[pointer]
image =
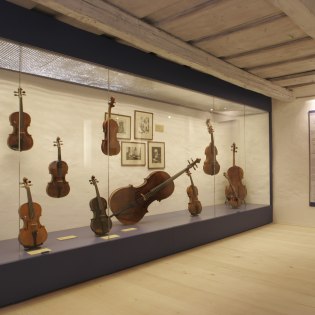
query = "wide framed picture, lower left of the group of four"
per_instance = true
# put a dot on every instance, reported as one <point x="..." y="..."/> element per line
<point x="133" y="154"/>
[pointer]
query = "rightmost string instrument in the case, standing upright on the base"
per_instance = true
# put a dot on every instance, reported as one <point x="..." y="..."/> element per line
<point x="235" y="192"/>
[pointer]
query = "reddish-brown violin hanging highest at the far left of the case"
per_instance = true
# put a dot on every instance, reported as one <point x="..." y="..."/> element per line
<point x="20" y="139"/>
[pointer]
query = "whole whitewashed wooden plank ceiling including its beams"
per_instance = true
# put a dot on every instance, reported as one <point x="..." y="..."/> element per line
<point x="267" y="46"/>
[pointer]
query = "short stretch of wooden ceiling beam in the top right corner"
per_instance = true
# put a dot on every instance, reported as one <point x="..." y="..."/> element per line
<point x="301" y="12"/>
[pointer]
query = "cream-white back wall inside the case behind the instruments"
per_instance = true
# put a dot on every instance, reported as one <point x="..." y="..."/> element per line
<point x="76" y="113"/>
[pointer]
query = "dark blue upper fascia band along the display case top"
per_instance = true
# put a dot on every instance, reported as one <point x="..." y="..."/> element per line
<point x="37" y="29"/>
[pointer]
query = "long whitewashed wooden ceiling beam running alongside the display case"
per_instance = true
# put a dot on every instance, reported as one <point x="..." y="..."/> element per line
<point x="117" y="23"/>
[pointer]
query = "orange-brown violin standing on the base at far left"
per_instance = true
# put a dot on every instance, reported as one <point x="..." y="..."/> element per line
<point x="32" y="234"/>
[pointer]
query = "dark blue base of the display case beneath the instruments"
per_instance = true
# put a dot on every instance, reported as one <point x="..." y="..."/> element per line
<point x="87" y="256"/>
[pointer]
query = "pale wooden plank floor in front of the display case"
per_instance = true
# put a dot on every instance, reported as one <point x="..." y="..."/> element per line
<point x="269" y="270"/>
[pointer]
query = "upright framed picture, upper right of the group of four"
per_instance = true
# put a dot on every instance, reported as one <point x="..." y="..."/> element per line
<point x="143" y="125"/>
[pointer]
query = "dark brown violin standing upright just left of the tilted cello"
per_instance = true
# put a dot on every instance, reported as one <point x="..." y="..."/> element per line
<point x="101" y="223"/>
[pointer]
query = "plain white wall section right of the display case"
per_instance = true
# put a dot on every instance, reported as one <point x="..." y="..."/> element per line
<point x="291" y="163"/>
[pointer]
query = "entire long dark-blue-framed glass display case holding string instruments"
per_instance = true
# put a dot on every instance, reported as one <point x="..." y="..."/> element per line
<point x="57" y="88"/>
